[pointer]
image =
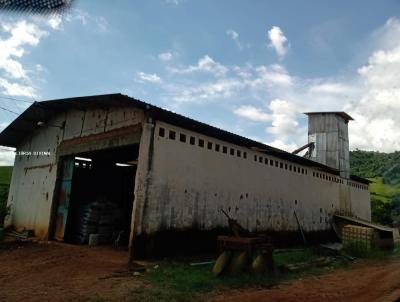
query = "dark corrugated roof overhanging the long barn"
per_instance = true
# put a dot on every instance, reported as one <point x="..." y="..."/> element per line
<point x="43" y="111"/>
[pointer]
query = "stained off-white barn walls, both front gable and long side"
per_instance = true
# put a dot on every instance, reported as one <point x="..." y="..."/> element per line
<point x="186" y="185"/>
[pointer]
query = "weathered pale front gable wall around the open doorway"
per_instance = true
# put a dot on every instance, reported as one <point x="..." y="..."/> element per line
<point x="34" y="177"/>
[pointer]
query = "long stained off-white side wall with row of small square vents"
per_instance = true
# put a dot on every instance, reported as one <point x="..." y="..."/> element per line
<point x="190" y="184"/>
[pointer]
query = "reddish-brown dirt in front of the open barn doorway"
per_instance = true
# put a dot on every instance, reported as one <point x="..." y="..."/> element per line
<point x="63" y="272"/>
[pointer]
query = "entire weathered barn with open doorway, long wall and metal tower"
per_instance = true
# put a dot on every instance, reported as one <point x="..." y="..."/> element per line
<point x="112" y="164"/>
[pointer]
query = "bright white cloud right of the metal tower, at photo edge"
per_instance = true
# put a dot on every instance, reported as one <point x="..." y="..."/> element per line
<point x="377" y="122"/>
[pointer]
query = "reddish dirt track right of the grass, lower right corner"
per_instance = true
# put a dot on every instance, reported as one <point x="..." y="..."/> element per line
<point x="367" y="281"/>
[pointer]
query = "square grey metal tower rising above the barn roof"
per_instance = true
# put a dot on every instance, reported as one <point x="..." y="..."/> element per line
<point x="329" y="133"/>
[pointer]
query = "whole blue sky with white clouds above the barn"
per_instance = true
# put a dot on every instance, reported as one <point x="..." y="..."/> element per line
<point x="250" y="67"/>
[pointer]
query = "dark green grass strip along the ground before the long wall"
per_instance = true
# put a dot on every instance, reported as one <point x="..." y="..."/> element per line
<point x="178" y="281"/>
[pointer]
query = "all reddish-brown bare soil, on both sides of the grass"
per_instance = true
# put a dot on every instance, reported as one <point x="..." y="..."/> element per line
<point x="62" y="272"/>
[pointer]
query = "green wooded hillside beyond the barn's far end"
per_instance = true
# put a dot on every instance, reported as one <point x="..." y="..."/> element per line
<point x="383" y="169"/>
